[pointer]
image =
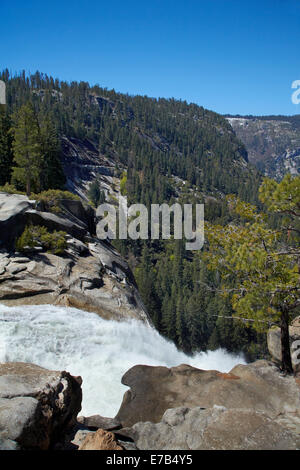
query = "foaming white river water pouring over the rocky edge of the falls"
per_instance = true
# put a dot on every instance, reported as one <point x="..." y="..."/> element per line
<point x="101" y="351"/>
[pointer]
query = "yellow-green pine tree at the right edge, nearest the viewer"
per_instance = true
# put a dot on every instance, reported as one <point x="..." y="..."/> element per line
<point x="263" y="262"/>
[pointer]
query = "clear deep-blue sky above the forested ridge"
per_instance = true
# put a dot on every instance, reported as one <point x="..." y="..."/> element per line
<point x="232" y="56"/>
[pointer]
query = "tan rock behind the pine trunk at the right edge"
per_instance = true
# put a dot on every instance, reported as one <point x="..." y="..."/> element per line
<point x="274" y="343"/>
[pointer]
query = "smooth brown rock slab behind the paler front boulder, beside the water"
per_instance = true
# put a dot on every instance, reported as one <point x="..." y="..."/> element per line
<point x="258" y="386"/>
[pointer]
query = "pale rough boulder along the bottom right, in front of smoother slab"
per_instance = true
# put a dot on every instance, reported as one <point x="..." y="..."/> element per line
<point x="214" y="428"/>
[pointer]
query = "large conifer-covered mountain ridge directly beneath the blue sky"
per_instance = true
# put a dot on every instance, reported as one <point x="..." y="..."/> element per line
<point x="153" y="138"/>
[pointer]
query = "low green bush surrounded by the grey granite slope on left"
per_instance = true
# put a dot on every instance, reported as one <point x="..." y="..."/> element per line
<point x="33" y="236"/>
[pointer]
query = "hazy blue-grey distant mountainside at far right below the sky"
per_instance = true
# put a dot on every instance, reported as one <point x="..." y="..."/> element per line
<point x="272" y="142"/>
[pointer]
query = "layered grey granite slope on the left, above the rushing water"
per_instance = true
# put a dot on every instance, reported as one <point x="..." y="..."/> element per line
<point x="90" y="275"/>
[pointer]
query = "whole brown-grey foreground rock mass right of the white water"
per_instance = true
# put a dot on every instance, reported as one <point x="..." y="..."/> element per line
<point x="184" y="408"/>
